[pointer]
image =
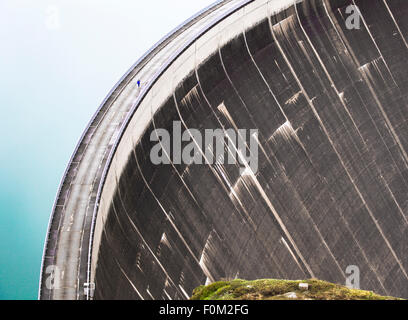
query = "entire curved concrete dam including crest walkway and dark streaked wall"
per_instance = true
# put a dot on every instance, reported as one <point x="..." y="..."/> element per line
<point x="325" y="85"/>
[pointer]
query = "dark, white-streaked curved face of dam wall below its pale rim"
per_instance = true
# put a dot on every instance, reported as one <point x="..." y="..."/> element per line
<point x="331" y="191"/>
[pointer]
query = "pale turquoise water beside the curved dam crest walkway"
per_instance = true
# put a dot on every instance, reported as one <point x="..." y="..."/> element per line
<point x="57" y="63"/>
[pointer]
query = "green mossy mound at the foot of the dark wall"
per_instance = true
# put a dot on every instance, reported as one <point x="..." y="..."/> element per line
<point x="272" y="289"/>
